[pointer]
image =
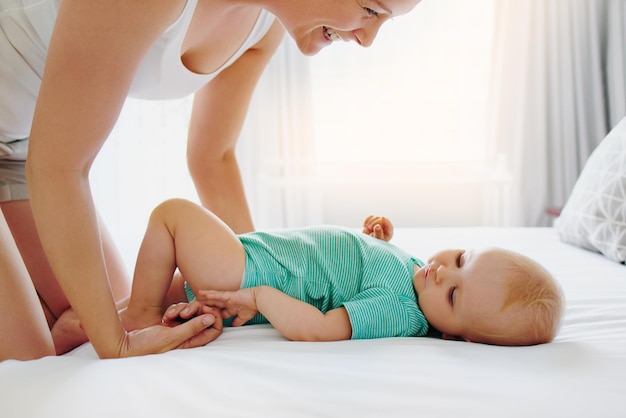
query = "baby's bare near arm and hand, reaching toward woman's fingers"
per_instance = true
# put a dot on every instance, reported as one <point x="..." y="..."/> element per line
<point x="294" y="319"/>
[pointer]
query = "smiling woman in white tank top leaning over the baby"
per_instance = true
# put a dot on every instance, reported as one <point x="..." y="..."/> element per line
<point x="96" y="54"/>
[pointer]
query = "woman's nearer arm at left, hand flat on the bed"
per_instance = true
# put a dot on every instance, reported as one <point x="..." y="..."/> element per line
<point x="94" y="52"/>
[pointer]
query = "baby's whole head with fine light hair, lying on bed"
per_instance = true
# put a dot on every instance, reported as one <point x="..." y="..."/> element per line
<point x="491" y="296"/>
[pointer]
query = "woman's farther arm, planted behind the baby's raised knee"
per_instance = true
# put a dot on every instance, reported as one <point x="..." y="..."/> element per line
<point x="219" y="110"/>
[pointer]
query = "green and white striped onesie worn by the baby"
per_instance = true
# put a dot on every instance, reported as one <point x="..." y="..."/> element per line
<point x="329" y="267"/>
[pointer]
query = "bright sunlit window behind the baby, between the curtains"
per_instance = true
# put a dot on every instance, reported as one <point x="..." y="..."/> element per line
<point x="406" y="117"/>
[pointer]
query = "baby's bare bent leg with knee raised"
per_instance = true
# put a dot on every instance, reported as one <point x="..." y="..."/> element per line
<point x="184" y="235"/>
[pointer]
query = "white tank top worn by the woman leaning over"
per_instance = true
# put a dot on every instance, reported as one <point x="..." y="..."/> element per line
<point x="25" y="30"/>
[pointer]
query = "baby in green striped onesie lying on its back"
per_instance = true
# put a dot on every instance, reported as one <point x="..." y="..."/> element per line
<point x="330" y="283"/>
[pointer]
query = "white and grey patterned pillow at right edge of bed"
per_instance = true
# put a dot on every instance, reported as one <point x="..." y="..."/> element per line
<point x="594" y="216"/>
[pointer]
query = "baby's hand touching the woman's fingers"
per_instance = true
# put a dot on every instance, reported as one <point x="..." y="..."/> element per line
<point x="241" y="303"/>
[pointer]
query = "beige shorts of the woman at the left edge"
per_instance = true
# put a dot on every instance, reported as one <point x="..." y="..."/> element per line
<point x="13" y="170"/>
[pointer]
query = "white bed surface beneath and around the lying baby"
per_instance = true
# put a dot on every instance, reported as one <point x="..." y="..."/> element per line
<point x="253" y="372"/>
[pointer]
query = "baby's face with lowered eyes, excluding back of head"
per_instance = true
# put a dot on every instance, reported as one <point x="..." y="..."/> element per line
<point x="458" y="287"/>
